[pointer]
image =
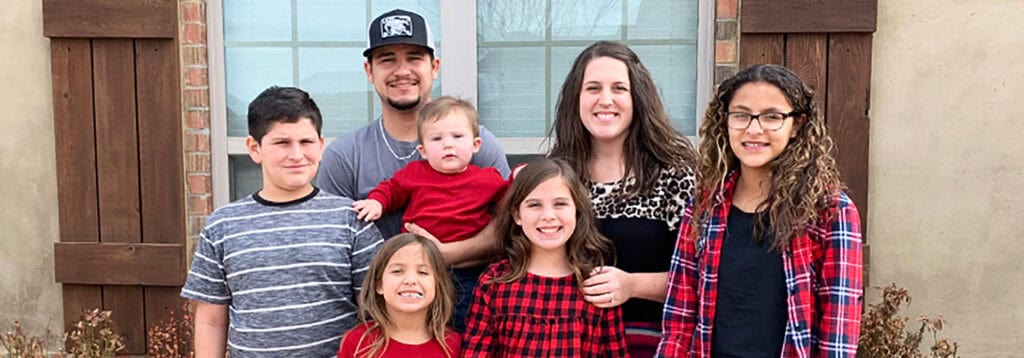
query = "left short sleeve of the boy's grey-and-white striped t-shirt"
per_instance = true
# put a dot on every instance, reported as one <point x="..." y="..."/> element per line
<point x="206" y="280"/>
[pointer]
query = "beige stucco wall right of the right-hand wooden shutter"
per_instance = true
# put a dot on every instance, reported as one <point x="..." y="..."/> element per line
<point x="948" y="166"/>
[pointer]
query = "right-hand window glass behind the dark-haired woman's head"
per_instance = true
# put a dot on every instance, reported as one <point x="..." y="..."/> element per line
<point x="522" y="64"/>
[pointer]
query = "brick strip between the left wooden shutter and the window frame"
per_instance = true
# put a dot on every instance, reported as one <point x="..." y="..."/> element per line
<point x="196" y="113"/>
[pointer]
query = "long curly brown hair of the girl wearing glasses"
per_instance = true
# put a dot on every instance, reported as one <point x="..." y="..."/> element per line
<point x="802" y="180"/>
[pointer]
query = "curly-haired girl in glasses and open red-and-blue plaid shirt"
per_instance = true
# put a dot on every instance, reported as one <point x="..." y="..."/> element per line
<point x="769" y="261"/>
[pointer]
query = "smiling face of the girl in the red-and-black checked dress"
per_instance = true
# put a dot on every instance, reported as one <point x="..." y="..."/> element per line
<point x="548" y="215"/>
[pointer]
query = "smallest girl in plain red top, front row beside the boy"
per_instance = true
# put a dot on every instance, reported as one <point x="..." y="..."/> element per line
<point x="406" y="304"/>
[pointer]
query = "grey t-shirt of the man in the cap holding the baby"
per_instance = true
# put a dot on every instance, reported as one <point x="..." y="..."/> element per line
<point x="355" y="164"/>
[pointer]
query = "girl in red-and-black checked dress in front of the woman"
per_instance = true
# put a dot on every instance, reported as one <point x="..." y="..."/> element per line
<point x="530" y="304"/>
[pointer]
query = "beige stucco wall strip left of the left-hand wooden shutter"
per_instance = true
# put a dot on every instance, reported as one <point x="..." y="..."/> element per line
<point x="29" y="208"/>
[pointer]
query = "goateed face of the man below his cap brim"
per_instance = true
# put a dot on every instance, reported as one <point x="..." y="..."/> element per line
<point x="403" y="75"/>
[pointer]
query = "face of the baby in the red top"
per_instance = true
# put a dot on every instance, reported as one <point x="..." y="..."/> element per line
<point x="449" y="144"/>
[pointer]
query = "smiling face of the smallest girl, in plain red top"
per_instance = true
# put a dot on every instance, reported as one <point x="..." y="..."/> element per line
<point x="408" y="284"/>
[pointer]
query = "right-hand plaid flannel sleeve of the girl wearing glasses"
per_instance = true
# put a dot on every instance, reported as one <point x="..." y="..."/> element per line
<point x="841" y="282"/>
